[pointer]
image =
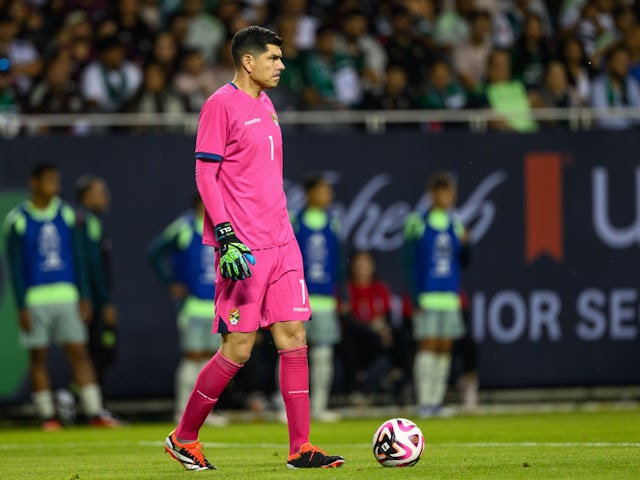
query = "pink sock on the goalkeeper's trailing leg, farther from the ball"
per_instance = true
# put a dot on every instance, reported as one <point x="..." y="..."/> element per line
<point x="211" y="381"/>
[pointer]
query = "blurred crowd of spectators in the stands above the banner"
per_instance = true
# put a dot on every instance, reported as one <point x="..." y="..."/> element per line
<point x="152" y="56"/>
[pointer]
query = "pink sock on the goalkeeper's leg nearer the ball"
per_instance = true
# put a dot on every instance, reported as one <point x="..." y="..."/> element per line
<point x="294" y="385"/>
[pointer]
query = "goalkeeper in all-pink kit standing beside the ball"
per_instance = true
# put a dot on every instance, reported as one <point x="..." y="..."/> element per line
<point x="261" y="282"/>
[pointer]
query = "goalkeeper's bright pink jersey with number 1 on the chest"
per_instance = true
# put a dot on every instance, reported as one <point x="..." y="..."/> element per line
<point x="242" y="134"/>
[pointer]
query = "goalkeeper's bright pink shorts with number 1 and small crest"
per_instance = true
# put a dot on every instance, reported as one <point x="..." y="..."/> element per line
<point x="275" y="292"/>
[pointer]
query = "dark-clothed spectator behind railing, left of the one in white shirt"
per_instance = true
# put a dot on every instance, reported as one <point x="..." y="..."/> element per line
<point x="56" y="92"/>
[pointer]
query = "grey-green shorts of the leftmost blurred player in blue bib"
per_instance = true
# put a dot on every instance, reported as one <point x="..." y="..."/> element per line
<point x="58" y="322"/>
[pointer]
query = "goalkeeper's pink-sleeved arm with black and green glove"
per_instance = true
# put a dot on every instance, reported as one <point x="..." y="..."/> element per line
<point x="211" y="142"/>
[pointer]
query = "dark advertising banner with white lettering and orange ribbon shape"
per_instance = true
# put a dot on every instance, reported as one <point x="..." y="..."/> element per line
<point x="554" y="219"/>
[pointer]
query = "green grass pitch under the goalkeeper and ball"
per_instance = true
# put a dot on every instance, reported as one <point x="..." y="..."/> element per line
<point x="596" y="445"/>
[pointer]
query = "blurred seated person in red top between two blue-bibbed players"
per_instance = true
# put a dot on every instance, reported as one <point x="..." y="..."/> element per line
<point x="367" y="332"/>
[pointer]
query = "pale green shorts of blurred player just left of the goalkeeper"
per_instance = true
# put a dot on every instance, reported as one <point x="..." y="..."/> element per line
<point x="195" y="322"/>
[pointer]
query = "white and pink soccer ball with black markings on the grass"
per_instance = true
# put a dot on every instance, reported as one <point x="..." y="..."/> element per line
<point x="398" y="442"/>
